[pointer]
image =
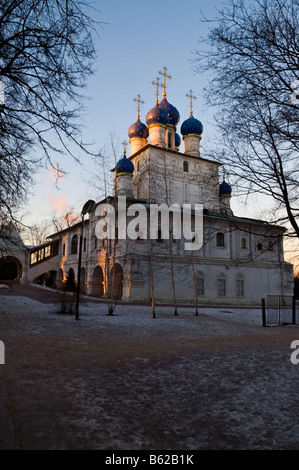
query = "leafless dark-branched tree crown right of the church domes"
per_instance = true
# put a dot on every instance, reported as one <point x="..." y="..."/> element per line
<point x="252" y="55"/>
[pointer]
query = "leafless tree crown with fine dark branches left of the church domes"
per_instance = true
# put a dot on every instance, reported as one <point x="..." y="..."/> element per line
<point x="46" y="55"/>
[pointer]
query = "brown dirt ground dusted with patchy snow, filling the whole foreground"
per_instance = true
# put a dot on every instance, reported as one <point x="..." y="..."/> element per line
<point x="89" y="385"/>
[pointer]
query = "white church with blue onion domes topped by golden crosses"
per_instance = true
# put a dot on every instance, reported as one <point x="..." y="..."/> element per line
<point x="241" y="260"/>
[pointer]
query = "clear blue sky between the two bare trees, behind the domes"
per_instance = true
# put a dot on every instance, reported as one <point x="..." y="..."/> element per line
<point x="136" y="40"/>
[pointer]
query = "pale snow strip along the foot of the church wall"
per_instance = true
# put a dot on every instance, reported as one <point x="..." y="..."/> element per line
<point x="137" y="320"/>
